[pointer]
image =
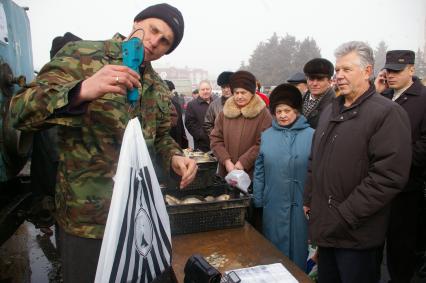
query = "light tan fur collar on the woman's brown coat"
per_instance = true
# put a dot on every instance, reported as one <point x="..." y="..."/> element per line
<point x="251" y="110"/>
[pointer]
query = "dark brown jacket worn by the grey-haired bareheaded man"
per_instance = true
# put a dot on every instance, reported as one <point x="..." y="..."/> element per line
<point x="360" y="161"/>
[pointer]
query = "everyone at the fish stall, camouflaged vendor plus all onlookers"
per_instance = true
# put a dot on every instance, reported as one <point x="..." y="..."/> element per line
<point x="336" y="158"/>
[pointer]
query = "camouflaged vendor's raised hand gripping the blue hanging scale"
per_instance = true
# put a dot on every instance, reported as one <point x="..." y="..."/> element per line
<point x="110" y="78"/>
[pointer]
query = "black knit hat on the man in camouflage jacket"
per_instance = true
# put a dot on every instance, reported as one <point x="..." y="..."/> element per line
<point x="170" y="15"/>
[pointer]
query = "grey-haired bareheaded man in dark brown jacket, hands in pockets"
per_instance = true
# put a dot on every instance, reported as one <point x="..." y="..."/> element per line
<point x="360" y="160"/>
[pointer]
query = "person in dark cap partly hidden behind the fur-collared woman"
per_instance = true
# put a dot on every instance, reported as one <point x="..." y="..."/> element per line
<point x="217" y="105"/>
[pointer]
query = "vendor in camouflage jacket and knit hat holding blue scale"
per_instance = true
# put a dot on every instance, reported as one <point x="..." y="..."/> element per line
<point x="83" y="91"/>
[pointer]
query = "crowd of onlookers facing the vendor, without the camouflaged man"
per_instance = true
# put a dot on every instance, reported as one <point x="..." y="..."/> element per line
<point x="333" y="160"/>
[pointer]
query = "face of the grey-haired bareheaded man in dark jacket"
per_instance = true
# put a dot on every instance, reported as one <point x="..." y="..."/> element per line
<point x="351" y="78"/>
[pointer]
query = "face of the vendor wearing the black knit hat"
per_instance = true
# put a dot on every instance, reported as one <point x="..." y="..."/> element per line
<point x="157" y="37"/>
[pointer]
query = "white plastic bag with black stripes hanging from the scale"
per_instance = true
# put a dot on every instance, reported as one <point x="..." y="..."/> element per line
<point x="136" y="246"/>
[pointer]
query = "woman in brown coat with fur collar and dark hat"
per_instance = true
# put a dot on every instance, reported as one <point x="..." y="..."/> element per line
<point x="235" y="138"/>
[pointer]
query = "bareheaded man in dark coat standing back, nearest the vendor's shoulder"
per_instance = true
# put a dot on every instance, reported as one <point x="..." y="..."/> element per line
<point x="194" y="117"/>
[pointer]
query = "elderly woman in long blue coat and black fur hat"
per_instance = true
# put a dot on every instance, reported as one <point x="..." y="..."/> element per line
<point x="280" y="172"/>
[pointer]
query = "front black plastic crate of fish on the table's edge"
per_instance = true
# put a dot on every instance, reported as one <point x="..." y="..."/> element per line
<point x="207" y="216"/>
